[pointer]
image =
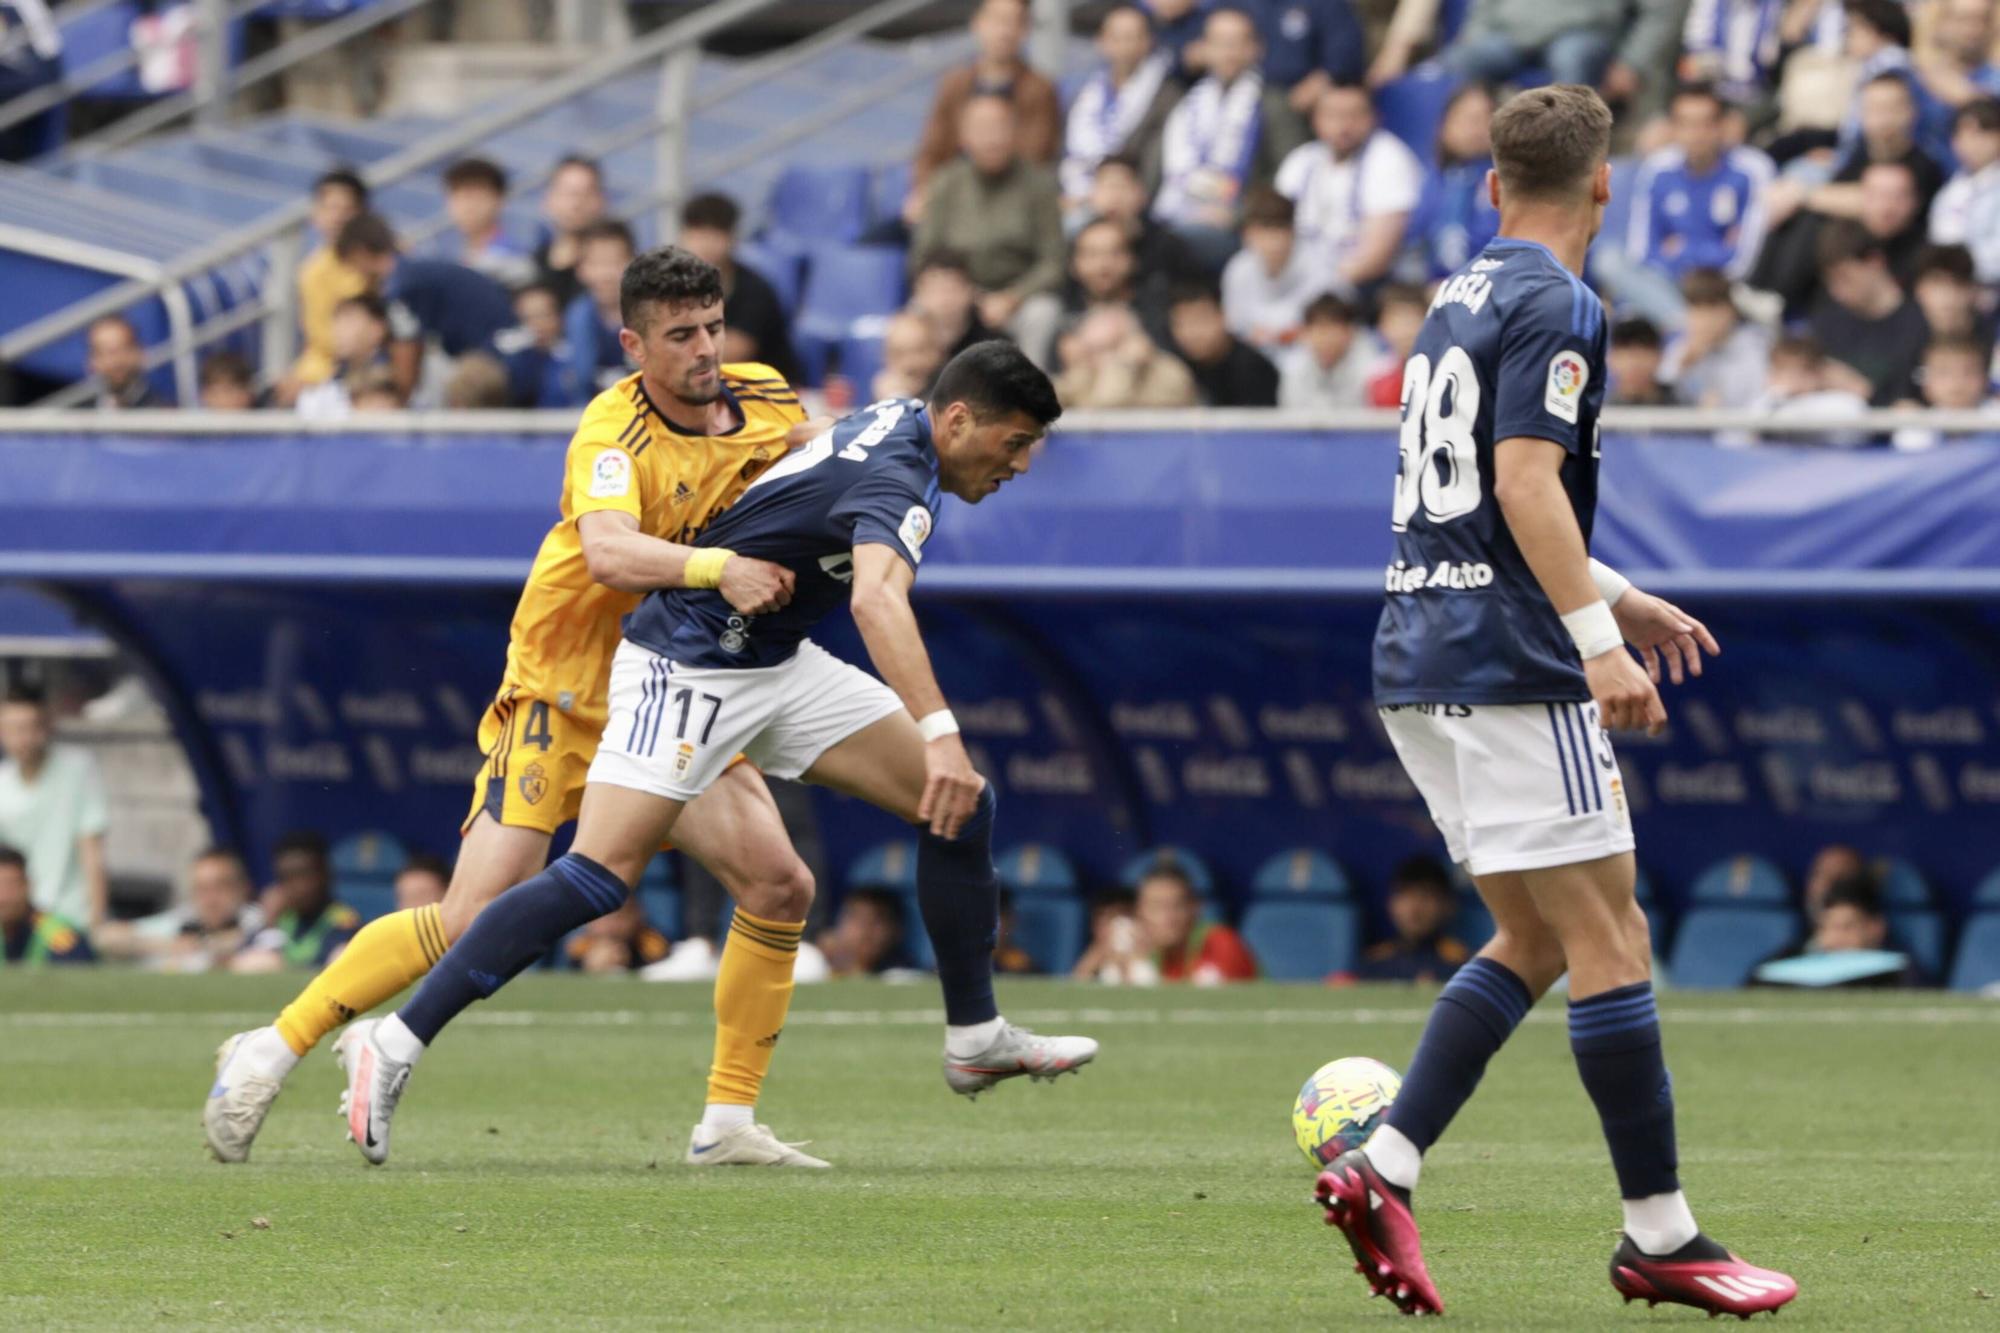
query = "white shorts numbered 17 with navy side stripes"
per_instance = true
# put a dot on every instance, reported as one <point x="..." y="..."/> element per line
<point x="675" y="730"/>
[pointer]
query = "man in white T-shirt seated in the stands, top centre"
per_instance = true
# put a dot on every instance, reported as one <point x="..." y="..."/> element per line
<point x="1355" y="189"/>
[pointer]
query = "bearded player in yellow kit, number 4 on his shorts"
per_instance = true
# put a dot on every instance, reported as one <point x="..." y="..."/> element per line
<point x="655" y="459"/>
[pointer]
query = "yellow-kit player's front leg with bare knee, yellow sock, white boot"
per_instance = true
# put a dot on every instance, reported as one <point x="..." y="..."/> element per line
<point x="737" y="834"/>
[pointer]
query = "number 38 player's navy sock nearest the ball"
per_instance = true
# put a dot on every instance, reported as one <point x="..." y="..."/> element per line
<point x="1477" y="1012"/>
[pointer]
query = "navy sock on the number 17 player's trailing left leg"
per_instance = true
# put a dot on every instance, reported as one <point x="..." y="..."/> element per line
<point x="509" y="936"/>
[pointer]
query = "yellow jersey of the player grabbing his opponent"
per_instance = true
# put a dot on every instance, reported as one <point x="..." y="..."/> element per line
<point x="631" y="459"/>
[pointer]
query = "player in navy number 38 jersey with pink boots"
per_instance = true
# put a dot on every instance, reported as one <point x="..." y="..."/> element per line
<point x="1501" y="665"/>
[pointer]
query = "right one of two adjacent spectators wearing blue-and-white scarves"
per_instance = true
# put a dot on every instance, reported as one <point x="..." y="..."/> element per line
<point x="1229" y="133"/>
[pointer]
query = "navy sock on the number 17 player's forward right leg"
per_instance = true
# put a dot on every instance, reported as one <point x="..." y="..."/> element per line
<point x="959" y="896"/>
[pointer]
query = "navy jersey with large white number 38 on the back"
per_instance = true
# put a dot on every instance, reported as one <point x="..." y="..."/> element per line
<point x="1513" y="347"/>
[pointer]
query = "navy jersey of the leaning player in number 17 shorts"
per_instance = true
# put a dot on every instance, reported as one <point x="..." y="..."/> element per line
<point x="871" y="479"/>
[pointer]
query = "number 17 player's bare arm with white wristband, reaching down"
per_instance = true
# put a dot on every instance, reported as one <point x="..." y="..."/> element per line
<point x="881" y="603"/>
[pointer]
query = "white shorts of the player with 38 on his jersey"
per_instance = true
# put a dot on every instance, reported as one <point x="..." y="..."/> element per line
<point x="1515" y="788"/>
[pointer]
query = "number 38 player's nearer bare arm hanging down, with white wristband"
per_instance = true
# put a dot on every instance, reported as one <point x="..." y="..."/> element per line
<point x="1529" y="491"/>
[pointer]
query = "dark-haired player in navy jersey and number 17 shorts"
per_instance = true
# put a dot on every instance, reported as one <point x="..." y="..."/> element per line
<point x="697" y="684"/>
